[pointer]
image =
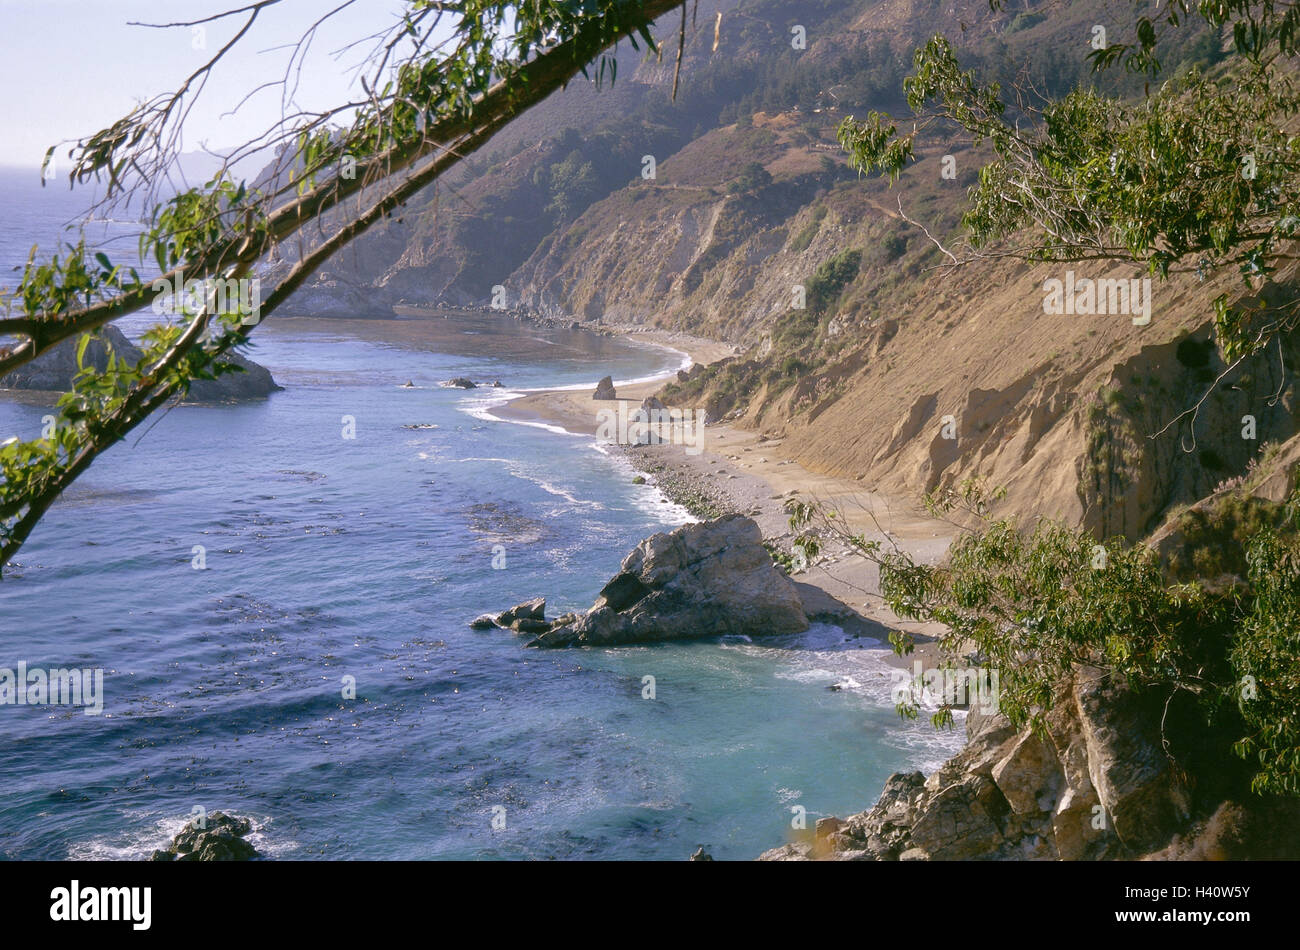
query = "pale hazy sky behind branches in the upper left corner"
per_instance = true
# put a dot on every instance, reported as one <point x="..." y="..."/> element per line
<point x="70" y="68"/>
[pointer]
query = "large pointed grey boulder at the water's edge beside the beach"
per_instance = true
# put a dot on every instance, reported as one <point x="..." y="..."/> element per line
<point x="703" y="580"/>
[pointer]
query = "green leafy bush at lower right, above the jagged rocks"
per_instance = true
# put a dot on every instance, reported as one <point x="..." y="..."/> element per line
<point x="1037" y="606"/>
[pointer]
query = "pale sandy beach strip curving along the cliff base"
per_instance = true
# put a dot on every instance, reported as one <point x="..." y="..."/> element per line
<point x="735" y="470"/>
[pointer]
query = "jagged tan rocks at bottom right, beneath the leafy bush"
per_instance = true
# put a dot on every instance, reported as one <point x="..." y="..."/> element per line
<point x="1097" y="786"/>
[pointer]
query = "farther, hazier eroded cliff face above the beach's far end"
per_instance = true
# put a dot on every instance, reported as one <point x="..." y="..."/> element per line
<point x="690" y="249"/>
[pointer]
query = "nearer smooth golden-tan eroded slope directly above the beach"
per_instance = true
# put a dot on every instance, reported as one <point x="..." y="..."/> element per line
<point x="1080" y="418"/>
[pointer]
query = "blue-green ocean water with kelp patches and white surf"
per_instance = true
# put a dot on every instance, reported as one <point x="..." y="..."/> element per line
<point x="331" y="559"/>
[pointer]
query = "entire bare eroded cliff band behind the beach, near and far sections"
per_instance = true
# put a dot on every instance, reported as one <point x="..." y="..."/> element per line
<point x="918" y="376"/>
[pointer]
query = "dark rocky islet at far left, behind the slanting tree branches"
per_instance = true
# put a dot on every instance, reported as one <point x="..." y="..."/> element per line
<point x="55" y="371"/>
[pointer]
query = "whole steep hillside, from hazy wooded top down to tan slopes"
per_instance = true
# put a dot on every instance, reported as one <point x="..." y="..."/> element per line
<point x="860" y="344"/>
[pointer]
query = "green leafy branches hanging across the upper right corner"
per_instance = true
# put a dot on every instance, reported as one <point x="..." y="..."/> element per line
<point x="1199" y="175"/>
